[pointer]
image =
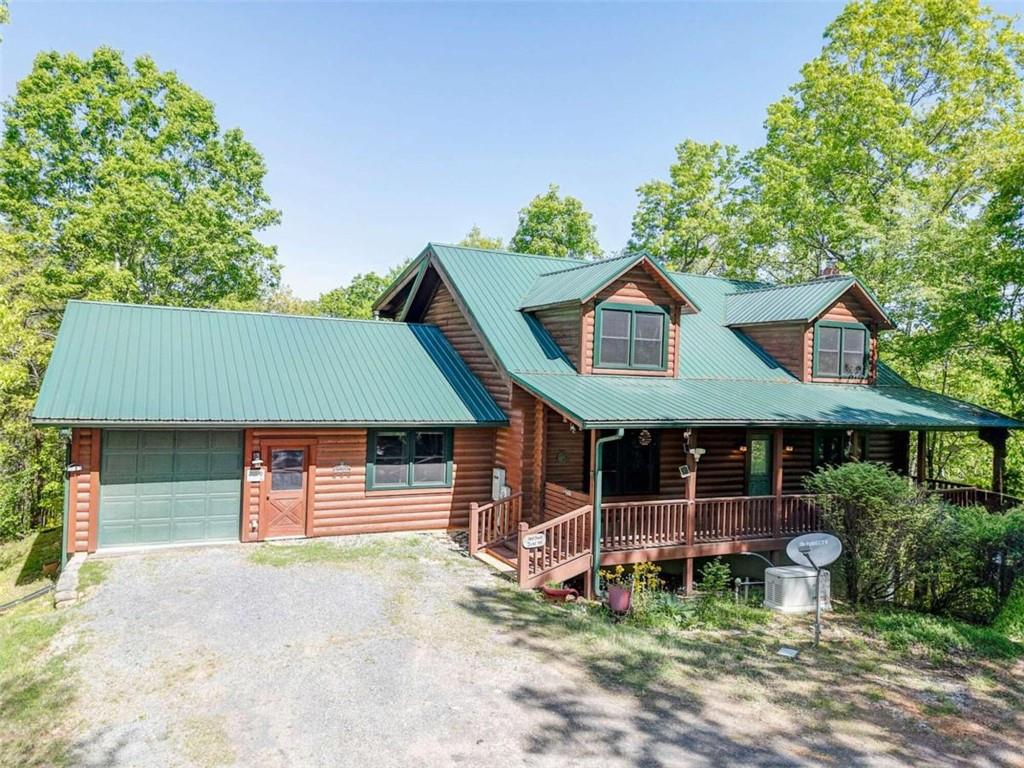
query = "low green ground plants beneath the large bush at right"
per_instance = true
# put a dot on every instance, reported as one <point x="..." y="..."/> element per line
<point x="907" y="631"/>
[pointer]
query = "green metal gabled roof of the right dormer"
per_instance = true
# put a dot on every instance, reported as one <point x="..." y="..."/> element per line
<point x="800" y="303"/>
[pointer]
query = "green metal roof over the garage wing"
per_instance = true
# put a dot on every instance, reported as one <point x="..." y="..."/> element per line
<point x="130" y="364"/>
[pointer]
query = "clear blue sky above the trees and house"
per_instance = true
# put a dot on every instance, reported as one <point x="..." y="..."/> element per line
<point x="386" y="126"/>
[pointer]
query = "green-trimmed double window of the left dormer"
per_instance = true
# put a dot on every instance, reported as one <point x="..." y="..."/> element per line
<point x="631" y="336"/>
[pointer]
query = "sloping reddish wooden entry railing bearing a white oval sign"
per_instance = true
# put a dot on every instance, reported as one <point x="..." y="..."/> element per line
<point x="566" y="550"/>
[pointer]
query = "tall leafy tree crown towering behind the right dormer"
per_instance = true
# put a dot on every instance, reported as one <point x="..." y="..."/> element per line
<point x="879" y="154"/>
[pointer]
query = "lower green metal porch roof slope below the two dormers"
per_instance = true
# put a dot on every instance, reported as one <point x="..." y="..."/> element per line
<point x="632" y="401"/>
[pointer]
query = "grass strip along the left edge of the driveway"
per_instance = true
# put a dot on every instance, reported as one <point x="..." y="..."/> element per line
<point x="35" y="689"/>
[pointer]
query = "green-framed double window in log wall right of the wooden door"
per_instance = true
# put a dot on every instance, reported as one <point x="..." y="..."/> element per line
<point x="409" y="458"/>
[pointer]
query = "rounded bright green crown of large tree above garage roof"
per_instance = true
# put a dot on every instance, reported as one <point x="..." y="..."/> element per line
<point x="121" y="176"/>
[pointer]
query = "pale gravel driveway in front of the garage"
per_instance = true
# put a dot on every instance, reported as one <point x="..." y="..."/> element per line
<point x="395" y="652"/>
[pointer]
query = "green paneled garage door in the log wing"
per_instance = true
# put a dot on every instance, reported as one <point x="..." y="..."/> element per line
<point x="165" y="487"/>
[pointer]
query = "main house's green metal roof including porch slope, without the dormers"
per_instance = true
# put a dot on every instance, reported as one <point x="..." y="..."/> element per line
<point x="726" y="378"/>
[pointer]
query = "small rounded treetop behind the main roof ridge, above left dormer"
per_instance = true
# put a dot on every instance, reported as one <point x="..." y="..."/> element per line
<point x="553" y="226"/>
